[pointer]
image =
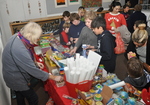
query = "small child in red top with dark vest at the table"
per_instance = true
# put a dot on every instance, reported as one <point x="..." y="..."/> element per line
<point x="64" y="39"/>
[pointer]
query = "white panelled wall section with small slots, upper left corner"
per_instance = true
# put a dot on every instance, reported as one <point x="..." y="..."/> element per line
<point x="17" y="10"/>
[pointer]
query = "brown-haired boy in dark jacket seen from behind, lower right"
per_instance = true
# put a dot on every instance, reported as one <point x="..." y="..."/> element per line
<point x="138" y="77"/>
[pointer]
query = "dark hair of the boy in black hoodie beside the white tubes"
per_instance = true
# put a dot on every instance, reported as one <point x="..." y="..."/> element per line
<point x="99" y="22"/>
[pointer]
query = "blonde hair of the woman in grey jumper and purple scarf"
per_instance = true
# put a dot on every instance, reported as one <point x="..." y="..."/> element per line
<point x="31" y="31"/>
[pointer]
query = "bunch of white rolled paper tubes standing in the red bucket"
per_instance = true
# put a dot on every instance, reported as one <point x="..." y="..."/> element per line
<point x="79" y="69"/>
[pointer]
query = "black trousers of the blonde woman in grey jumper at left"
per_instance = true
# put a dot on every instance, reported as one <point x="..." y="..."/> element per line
<point x="30" y="95"/>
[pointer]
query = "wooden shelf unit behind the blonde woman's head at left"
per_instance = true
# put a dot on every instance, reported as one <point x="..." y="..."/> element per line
<point x="48" y="24"/>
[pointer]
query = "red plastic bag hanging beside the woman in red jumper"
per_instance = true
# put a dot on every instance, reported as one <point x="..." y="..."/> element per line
<point x="120" y="48"/>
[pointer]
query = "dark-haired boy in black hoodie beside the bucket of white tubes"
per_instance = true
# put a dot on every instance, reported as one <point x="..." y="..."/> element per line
<point x="105" y="44"/>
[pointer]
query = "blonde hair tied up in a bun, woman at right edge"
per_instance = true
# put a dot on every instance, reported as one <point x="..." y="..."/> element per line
<point x="140" y="35"/>
